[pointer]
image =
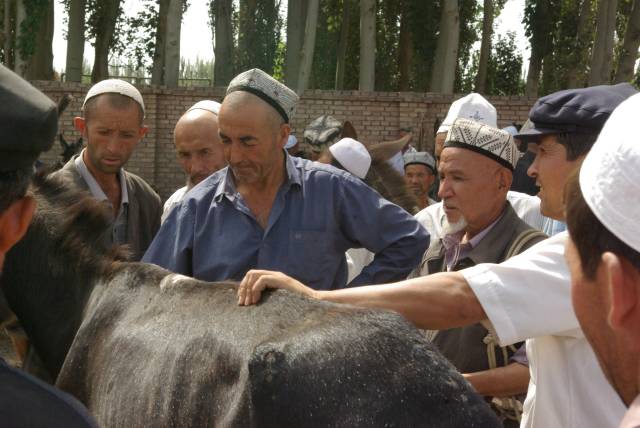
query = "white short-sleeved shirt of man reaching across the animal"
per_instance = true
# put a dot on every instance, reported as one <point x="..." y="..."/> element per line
<point x="529" y="297"/>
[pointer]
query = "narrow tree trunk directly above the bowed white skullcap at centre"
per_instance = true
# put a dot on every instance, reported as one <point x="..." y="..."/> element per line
<point x="367" y="45"/>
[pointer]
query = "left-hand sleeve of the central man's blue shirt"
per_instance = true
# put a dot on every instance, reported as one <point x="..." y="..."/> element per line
<point x="173" y="244"/>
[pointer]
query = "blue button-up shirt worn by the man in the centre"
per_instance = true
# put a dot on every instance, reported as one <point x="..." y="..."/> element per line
<point x="319" y="212"/>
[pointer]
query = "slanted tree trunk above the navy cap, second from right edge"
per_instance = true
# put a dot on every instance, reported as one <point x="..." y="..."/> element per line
<point x="602" y="53"/>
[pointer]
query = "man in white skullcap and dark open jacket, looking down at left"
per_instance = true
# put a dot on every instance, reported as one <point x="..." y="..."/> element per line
<point x="112" y="126"/>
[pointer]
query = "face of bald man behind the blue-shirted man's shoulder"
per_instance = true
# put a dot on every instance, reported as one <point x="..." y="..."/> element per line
<point x="198" y="145"/>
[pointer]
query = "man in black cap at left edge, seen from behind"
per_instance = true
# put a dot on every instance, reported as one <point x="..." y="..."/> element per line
<point x="28" y="125"/>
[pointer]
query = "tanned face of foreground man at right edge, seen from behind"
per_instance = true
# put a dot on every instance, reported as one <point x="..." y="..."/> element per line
<point x="592" y="304"/>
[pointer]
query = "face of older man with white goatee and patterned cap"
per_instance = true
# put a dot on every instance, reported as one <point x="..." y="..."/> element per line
<point x="470" y="186"/>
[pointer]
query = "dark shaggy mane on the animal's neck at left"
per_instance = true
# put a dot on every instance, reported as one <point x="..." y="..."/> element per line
<point x="77" y="223"/>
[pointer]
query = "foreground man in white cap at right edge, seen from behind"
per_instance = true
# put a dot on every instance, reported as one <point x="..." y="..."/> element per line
<point x="603" y="253"/>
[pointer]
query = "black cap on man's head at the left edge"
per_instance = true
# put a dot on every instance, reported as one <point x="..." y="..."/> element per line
<point x="28" y="122"/>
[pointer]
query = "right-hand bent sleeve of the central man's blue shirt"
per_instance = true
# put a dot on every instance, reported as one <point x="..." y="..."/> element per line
<point x="395" y="236"/>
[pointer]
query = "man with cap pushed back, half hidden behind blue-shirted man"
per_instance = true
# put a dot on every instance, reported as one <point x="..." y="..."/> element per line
<point x="198" y="148"/>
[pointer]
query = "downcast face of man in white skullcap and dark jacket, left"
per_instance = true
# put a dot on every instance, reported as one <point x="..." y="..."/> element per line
<point x="111" y="135"/>
